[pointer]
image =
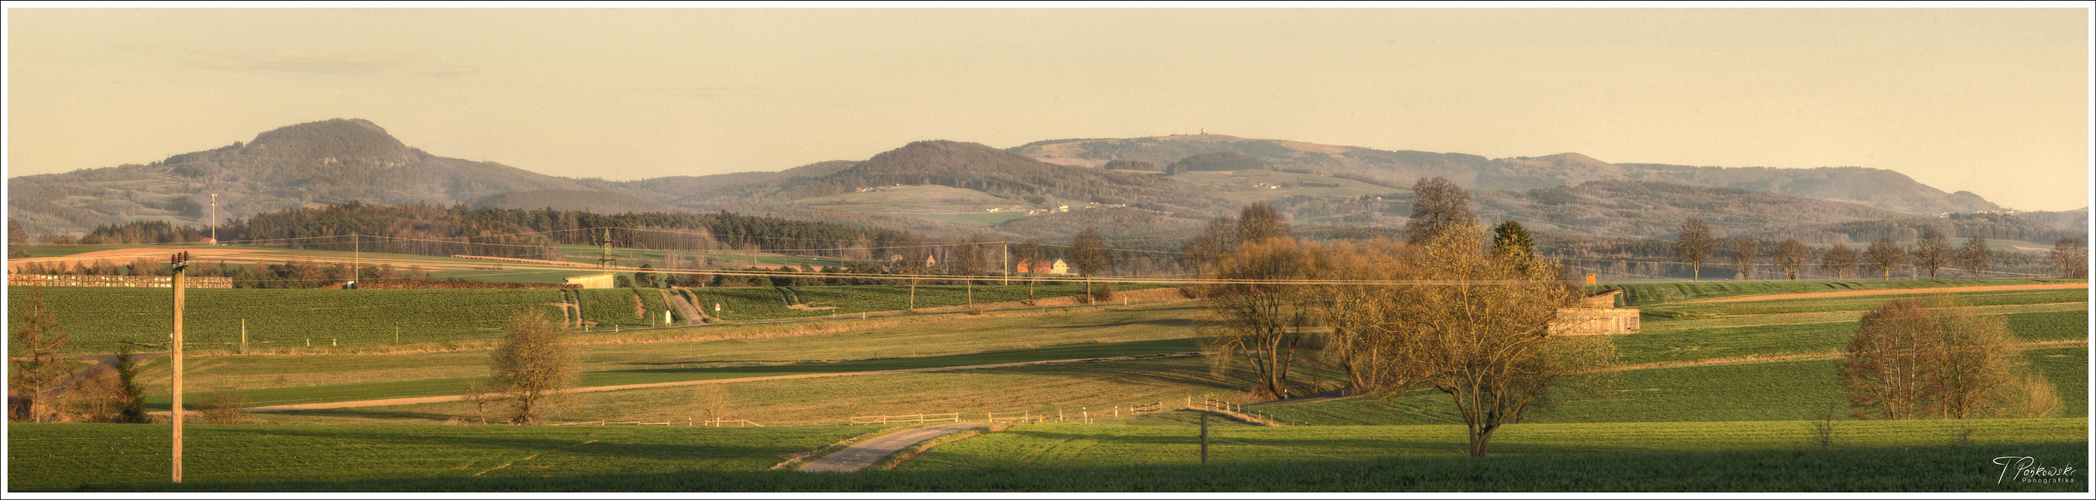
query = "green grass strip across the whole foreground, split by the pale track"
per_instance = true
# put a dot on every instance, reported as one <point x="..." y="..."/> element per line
<point x="1726" y="457"/>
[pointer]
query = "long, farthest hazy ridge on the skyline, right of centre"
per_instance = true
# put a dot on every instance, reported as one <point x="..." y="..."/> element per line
<point x="1854" y="185"/>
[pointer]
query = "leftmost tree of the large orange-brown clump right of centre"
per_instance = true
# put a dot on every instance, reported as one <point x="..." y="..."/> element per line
<point x="1259" y="319"/>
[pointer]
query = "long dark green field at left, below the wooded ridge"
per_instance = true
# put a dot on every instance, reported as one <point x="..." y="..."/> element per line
<point x="102" y="319"/>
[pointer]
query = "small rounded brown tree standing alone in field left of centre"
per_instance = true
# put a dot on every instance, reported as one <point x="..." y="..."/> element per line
<point x="531" y="365"/>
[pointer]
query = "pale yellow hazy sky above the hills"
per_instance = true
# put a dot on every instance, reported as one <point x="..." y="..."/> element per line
<point x="1986" y="101"/>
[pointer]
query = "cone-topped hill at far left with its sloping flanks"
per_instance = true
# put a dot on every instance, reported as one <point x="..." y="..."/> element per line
<point x="297" y="166"/>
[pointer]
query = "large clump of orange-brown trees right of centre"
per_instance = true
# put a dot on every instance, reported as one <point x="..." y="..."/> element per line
<point x="1447" y="309"/>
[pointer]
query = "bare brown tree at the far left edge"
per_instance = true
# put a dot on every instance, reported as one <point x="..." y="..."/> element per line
<point x="35" y="350"/>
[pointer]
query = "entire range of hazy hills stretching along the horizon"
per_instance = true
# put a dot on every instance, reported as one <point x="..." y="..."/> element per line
<point x="1160" y="187"/>
